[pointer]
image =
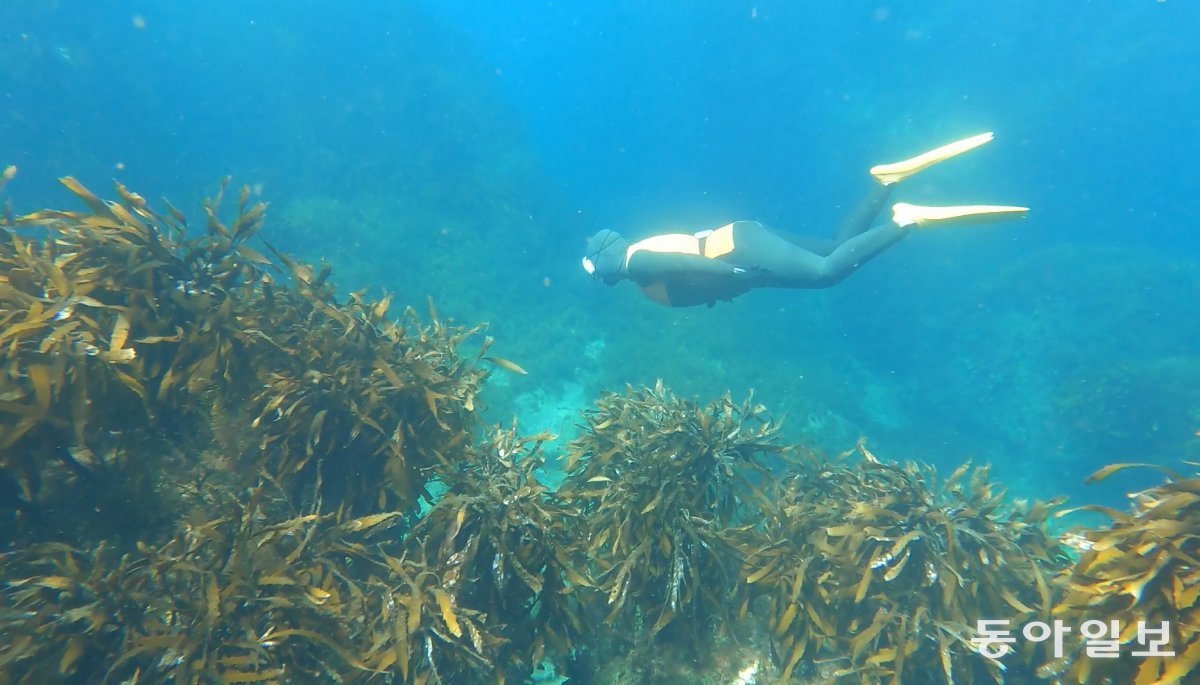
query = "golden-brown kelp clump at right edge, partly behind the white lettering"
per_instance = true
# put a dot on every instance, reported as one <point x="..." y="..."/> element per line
<point x="1142" y="573"/>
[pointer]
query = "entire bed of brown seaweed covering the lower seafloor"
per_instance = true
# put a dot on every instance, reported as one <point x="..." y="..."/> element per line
<point x="219" y="472"/>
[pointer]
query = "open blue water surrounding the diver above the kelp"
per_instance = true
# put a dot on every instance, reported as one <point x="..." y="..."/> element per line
<point x="465" y="151"/>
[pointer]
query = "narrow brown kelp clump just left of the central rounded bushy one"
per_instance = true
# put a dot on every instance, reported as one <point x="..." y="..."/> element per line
<point x="501" y="544"/>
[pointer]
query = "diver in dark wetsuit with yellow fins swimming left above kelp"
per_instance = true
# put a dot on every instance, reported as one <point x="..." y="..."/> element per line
<point x="685" y="271"/>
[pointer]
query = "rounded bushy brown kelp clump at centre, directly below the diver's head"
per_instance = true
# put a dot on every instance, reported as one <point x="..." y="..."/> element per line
<point x="659" y="482"/>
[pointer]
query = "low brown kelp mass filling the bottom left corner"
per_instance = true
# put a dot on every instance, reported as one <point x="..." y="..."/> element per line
<point x="241" y="599"/>
